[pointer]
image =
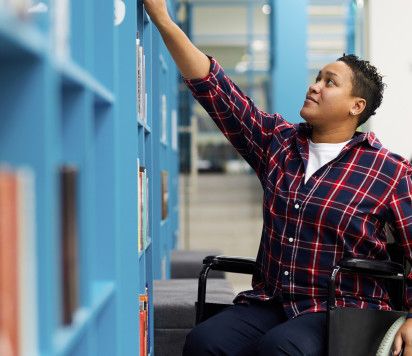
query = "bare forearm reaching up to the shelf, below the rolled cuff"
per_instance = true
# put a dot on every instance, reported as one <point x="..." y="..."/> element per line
<point x="192" y="63"/>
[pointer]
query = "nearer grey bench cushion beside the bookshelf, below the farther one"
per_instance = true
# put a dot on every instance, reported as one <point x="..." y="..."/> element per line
<point x="174" y="300"/>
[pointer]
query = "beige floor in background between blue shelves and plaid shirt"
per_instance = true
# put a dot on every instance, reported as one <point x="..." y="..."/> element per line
<point x="222" y="212"/>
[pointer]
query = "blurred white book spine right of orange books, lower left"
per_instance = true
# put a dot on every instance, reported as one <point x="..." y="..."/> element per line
<point x="27" y="263"/>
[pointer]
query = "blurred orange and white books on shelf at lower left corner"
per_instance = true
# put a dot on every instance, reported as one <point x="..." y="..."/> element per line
<point x="18" y="267"/>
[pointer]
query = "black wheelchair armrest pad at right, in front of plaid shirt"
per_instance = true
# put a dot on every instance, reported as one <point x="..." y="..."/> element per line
<point x="373" y="267"/>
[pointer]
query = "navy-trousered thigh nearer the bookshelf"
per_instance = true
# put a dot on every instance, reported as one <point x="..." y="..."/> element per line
<point x="234" y="331"/>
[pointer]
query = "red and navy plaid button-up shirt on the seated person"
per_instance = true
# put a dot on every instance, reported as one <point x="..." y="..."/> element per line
<point x="308" y="227"/>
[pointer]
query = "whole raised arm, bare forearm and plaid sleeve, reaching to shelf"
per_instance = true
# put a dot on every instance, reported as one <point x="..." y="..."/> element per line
<point x="248" y="129"/>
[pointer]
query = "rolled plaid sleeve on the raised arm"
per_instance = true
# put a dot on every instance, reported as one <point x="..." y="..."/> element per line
<point x="249" y="129"/>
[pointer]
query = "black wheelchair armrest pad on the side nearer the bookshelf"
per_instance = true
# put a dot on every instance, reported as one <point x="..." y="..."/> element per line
<point x="234" y="264"/>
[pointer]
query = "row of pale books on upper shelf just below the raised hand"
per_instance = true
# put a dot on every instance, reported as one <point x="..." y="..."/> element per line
<point x="141" y="94"/>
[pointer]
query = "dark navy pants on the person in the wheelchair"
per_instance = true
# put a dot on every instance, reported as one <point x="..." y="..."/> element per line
<point x="258" y="329"/>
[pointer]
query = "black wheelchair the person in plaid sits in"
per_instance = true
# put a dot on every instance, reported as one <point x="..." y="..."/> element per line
<point x="350" y="331"/>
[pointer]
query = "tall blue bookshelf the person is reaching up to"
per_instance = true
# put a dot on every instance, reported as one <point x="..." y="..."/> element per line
<point x="80" y="110"/>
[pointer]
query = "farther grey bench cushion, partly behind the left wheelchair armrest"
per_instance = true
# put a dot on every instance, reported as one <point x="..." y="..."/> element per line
<point x="188" y="263"/>
